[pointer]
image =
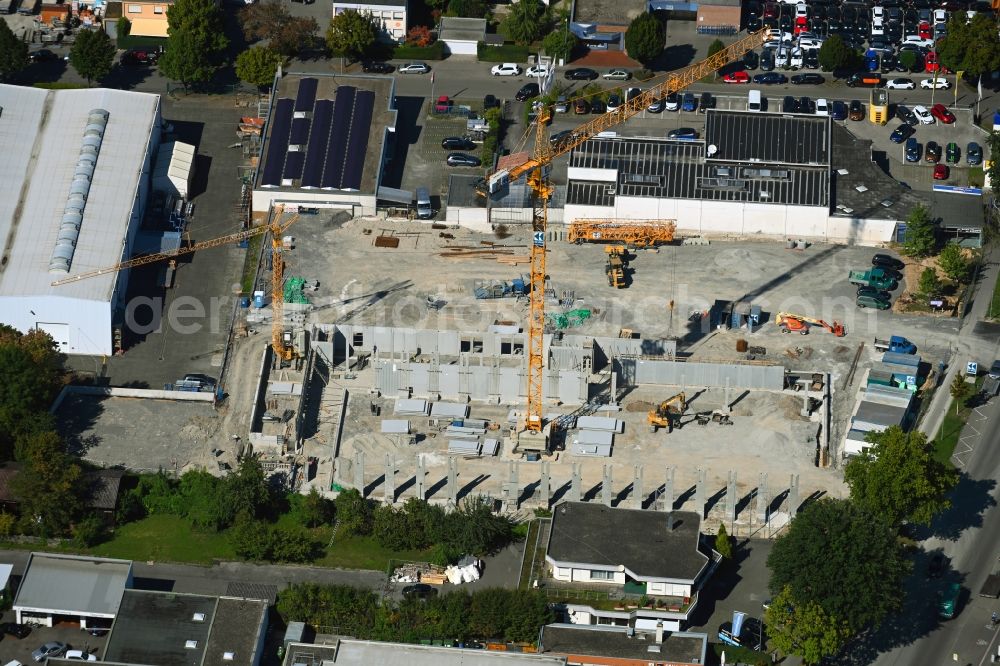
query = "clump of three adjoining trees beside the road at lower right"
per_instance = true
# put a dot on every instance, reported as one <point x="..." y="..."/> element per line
<point x="838" y="570"/>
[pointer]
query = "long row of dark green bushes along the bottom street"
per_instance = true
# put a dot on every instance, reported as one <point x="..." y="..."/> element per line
<point x="488" y="614"/>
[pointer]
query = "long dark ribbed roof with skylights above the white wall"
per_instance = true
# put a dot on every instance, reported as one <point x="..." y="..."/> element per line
<point x="677" y="169"/>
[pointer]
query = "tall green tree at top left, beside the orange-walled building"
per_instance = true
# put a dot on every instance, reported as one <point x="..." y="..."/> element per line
<point x="195" y="41"/>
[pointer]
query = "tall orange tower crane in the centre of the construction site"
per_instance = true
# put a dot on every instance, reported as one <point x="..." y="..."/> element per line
<point x="535" y="170"/>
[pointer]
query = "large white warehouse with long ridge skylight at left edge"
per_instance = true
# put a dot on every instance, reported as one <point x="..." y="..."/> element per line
<point x="74" y="185"/>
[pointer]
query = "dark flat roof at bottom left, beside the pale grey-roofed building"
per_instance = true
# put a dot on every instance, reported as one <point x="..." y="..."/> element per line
<point x="153" y="628"/>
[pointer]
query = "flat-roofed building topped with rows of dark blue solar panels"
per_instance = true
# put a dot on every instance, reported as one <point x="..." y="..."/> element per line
<point x="326" y="139"/>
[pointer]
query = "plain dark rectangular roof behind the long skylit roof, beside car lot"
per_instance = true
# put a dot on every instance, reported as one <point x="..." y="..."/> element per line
<point x="767" y="137"/>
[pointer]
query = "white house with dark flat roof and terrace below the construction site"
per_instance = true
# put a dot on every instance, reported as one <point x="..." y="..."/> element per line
<point x="637" y="556"/>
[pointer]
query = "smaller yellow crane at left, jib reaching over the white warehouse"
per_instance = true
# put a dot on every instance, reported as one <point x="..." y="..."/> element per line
<point x="280" y="339"/>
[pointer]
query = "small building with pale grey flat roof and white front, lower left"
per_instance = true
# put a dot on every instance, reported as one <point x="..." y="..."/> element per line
<point x="60" y="588"/>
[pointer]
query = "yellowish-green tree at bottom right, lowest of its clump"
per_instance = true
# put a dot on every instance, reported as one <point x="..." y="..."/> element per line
<point x="804" y="629"/>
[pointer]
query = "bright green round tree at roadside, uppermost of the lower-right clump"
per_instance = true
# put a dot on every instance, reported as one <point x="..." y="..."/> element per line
<point x="899" y="479"/>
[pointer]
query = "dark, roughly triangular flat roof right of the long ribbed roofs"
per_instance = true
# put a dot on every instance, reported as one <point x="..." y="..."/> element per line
<point x="865" y="191"/>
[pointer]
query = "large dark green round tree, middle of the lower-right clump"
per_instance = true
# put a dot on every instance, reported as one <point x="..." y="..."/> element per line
<point x="844" y="560"/>
